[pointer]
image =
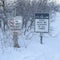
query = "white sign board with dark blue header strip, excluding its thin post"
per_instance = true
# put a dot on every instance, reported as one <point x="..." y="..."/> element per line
<point x="41" y="23"/>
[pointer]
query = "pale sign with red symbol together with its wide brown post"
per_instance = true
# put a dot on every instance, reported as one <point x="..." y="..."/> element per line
<point x="15" y="25"/>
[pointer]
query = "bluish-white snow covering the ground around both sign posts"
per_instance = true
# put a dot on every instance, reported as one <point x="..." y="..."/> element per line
<point x="32" y="49"/>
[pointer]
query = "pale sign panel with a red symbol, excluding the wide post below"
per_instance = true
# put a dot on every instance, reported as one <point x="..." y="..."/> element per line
<point x="15" y="23"/>
